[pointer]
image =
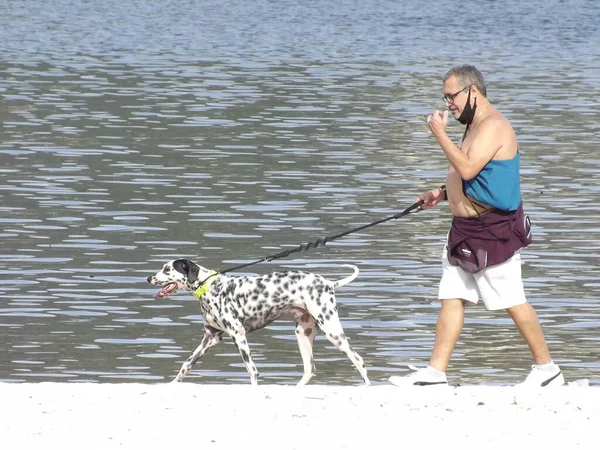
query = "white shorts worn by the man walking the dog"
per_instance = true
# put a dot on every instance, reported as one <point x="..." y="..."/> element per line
<point x="499" y="286"/>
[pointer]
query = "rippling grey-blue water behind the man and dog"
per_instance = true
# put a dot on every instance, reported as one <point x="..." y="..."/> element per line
<point x="137" y="132"/>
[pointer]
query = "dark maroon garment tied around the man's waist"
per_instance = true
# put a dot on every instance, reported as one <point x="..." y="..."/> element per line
<point x="492" y="238"/>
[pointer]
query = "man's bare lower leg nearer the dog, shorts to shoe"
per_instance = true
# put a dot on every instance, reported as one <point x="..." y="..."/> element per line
<point x="448" y="329"/>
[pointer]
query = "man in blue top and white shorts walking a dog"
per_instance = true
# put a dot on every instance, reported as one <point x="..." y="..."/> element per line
<point x="482" y="256"/>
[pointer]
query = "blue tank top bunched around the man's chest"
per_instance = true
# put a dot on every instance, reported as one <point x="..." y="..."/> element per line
<point x="498" y="184"/>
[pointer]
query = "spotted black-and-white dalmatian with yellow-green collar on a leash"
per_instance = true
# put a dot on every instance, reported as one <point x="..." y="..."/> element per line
<point x="238" y="305"/>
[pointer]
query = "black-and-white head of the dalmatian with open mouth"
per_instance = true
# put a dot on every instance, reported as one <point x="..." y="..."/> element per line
<point x="176" y="274"/>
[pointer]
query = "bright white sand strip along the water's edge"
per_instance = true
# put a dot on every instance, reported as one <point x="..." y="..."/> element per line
<point x="194" y="416"/>
